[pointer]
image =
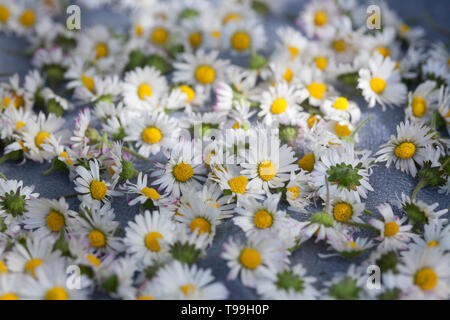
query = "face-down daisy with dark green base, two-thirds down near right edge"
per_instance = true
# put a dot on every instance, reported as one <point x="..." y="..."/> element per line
<point x="419" y="212"/>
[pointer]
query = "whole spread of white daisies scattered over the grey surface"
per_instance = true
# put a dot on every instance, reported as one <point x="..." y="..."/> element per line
<point x="225" y="129"/>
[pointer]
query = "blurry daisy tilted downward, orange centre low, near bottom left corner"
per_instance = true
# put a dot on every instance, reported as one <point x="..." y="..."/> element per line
<point x="32" y="254"/>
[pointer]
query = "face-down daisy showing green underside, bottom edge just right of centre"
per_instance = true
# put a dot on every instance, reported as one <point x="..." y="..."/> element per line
<point x="290" y="283"/>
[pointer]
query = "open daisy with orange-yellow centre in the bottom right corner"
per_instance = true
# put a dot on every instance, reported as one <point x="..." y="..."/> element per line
<point x="427" y="273"/>
